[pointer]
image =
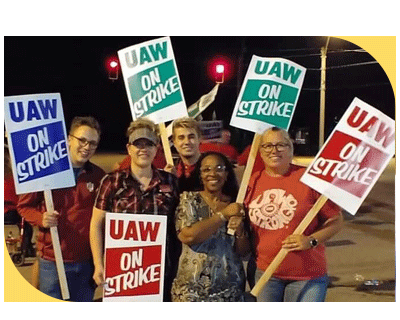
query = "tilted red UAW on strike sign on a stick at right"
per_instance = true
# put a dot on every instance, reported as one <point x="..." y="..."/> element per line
<point x="354" y="156"/>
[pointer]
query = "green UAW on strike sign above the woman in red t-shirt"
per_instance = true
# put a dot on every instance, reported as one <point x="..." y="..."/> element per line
<point x="269" y="94"/>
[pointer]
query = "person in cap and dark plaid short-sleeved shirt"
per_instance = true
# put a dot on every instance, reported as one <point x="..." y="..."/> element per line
<point x="145" y="190"/>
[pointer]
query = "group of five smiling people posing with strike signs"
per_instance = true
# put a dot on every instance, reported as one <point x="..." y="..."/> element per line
<point x="203" y="262"/>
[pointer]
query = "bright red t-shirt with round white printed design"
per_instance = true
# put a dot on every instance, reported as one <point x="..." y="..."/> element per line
<point x="276" y="207"/>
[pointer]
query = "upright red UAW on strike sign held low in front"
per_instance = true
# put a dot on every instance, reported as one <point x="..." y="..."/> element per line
<point x="134" y="257"/>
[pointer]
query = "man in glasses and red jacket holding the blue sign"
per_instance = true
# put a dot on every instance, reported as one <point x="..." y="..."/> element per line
<point x="73" y="209"/>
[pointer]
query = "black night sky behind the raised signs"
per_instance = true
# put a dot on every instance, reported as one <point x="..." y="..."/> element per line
<point x="76" y="68"/>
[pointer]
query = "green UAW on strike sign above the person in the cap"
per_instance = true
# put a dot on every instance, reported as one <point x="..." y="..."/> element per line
<point x="152" y="82"/>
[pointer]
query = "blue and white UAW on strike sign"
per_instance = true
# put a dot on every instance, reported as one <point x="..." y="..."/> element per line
<point x="37" y="141"/>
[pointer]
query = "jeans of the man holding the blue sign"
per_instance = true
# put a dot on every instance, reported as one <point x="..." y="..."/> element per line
<point x="81" y="286"/>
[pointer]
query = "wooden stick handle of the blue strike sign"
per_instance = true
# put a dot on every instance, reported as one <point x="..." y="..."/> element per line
<point x="57" y="248"/>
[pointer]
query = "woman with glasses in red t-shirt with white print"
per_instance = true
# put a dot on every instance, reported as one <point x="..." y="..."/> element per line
<point x="277" y="202"/>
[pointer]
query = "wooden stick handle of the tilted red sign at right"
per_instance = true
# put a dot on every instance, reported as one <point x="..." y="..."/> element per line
<point x="283" y="252"/>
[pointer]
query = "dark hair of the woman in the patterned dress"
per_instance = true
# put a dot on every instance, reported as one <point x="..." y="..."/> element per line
<point x="230" y="187"/>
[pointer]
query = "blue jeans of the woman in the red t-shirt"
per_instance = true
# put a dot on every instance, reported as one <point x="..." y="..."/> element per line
<point x="278" y="290"/>
